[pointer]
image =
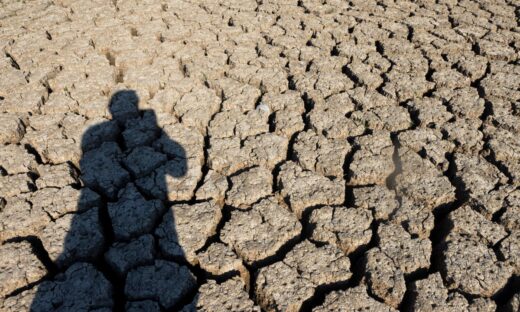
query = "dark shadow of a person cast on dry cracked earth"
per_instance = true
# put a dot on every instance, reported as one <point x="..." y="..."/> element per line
<point x="125" y="164"/>
